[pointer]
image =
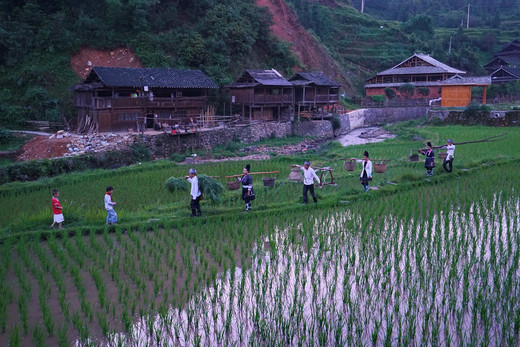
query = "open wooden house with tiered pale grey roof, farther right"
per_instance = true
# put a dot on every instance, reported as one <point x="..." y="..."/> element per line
<point x="420" y="70"/>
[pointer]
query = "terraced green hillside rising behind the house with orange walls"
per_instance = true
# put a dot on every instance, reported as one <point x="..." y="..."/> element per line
<point x="390" y="31"/>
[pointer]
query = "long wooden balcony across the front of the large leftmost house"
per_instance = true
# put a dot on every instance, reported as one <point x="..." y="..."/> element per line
<point x="155" y="103"/>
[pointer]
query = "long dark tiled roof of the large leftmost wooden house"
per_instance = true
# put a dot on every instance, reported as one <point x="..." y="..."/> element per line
<point x="151" y="77"/>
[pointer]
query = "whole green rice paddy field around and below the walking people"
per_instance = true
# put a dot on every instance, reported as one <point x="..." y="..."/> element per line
<point x="420" y="262"/>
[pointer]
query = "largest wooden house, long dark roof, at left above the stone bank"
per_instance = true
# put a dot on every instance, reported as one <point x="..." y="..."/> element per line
<point x="114" y="98"/>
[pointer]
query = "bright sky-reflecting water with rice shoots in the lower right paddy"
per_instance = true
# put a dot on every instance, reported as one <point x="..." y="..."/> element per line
<point x="454" y="278"/>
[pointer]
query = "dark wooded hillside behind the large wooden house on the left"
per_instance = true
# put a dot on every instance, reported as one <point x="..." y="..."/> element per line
<point x="37" y="40"/>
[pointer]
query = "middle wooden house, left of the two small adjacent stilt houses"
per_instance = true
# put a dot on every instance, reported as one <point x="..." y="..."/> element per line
<point x="262" y="95"/>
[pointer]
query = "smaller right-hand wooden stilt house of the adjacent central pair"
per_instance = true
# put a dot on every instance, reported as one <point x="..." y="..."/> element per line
<point x="313" y="91"/>
